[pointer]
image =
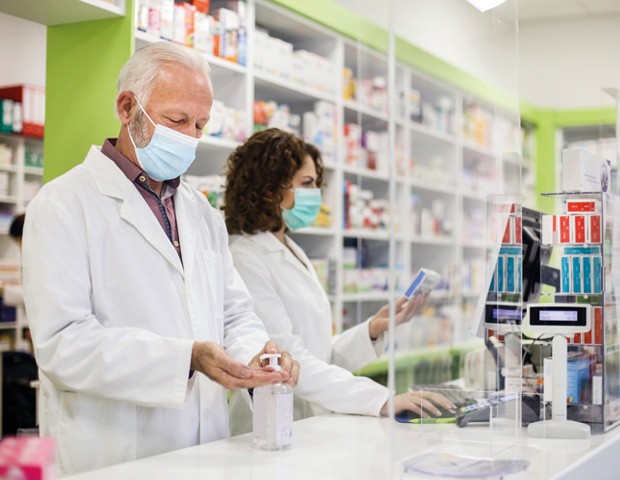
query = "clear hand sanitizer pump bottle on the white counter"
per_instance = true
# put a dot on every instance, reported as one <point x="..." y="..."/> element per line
<point x="272" y="417"/>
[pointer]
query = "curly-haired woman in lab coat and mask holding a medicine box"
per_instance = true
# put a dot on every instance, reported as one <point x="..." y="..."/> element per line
<point x="273" y="185"/>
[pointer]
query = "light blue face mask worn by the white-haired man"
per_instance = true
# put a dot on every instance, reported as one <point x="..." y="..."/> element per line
<point x="169" y="153"/>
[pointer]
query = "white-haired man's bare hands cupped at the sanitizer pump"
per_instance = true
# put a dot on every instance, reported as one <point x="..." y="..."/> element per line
<point x="213" y="361"/>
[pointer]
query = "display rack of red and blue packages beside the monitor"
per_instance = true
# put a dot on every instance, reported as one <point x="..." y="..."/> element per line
<point x="592" y="277"/>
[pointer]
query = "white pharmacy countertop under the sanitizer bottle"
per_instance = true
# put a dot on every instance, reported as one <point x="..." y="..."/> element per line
<point x="346" y="446"/>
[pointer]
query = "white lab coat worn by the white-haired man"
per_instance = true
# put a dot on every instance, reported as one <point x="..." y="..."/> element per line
<point x="114" y="315"/>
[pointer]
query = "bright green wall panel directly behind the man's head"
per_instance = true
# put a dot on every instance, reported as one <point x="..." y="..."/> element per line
<point x="83" y="61"/>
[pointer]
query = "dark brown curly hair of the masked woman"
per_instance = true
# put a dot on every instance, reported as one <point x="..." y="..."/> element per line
<point x="256" y="174"/>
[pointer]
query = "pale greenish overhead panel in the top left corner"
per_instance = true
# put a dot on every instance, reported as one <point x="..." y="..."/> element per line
<point x="57" y="12"/>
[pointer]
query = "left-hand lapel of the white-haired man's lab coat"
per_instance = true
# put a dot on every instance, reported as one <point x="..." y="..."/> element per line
<point x="113" y="183"/>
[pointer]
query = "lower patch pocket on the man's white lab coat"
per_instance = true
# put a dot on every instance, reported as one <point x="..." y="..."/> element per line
<point x="82" y="416"/>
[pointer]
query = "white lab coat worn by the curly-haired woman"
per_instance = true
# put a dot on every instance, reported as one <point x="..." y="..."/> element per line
<point x="295" y="309"/>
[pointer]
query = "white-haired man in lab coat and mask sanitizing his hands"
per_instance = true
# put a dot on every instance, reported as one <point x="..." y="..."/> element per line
<point x="140" y="322"/>
